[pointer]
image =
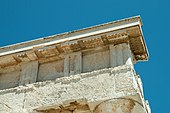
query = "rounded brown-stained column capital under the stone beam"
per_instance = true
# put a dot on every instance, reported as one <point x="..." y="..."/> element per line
<point x="119" y="106"/>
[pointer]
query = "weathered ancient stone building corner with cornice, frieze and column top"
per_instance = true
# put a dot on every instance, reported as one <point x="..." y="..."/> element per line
<point x="84" y="71"/>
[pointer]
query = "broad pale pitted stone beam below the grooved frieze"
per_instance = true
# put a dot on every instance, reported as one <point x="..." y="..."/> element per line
<point x="95" y="87"/>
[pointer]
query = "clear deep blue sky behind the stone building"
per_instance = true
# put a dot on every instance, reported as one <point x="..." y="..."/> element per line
<point x="23" y="20"/>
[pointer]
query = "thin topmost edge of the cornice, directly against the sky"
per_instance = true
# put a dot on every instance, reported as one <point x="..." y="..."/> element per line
<point x="41" y="41"/>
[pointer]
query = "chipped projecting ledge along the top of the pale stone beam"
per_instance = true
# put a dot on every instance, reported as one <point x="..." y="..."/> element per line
<point x="66" y="80"/>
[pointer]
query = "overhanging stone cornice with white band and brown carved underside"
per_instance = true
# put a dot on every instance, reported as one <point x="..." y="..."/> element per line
<point x="116" y="32"/>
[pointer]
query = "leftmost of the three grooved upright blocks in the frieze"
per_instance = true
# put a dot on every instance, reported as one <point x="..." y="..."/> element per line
<point x="28" y="73"/>
